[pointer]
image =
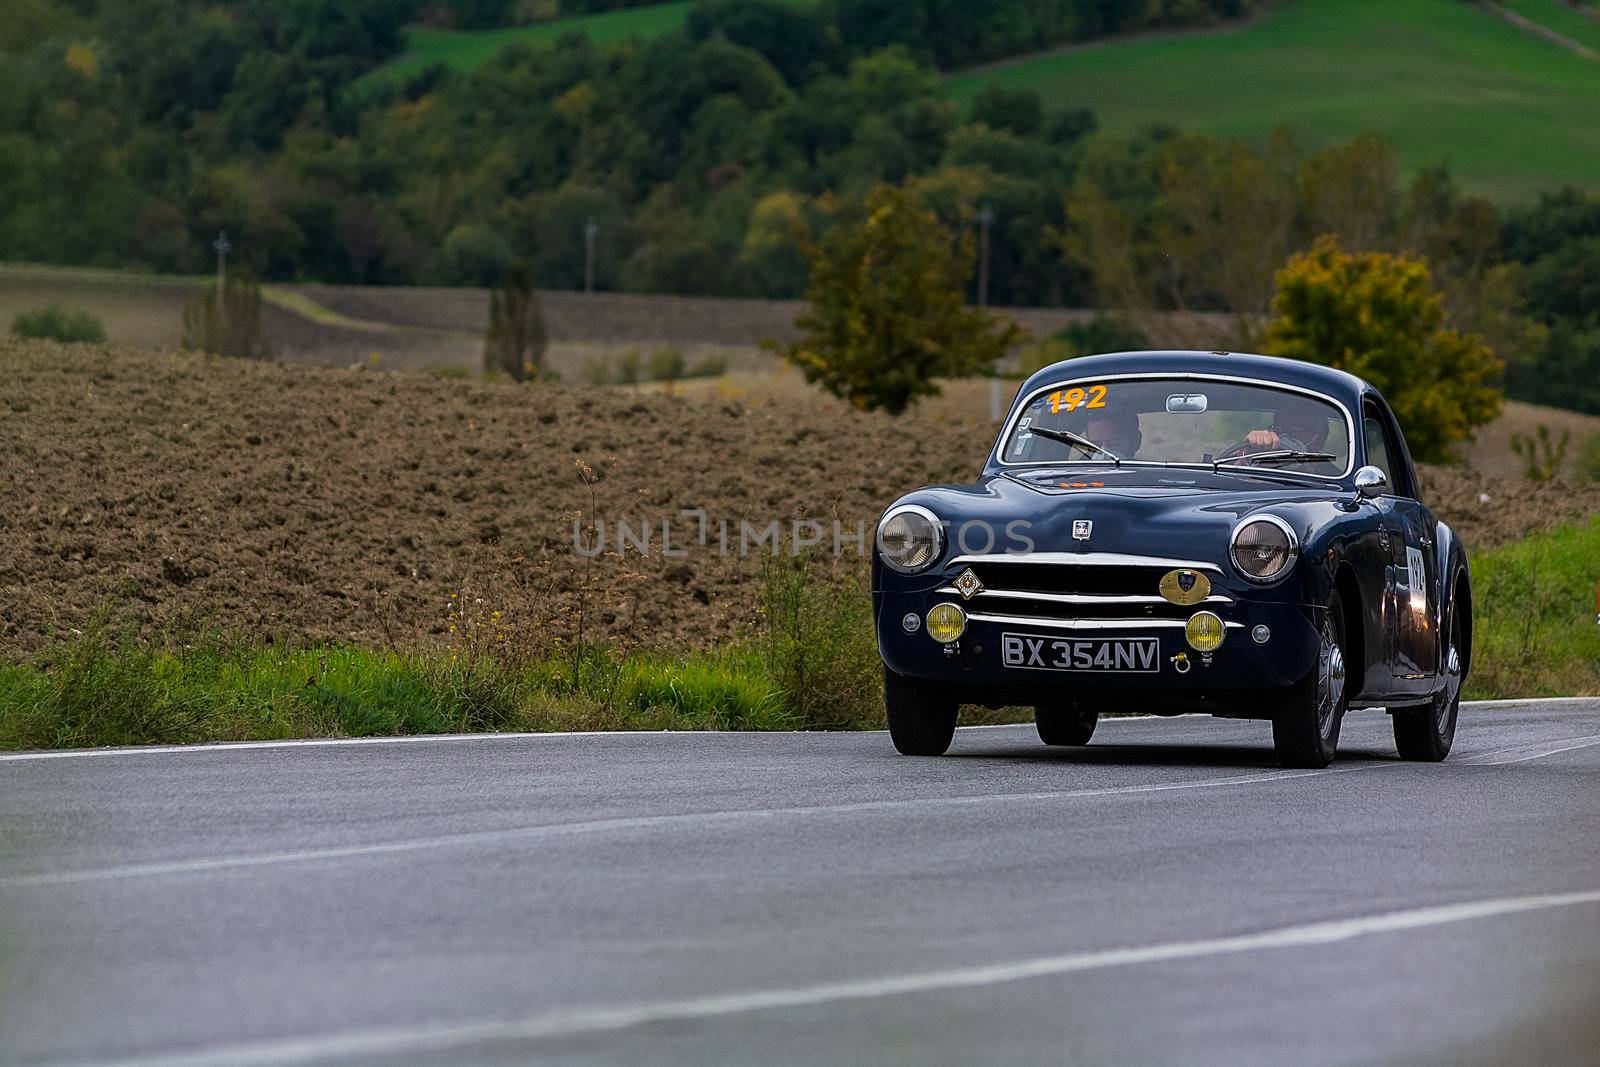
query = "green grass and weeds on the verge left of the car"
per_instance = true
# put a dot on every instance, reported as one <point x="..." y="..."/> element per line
<point x="812" y="666"/>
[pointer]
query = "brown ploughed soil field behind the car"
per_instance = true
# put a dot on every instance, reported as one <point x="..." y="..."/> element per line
<point x="297" y="503"/>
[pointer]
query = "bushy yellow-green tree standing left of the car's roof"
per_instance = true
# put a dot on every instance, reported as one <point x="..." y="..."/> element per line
<point x="886" y="313"/>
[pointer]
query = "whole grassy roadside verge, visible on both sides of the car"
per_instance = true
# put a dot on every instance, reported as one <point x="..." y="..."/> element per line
<point x="812" y="666"/>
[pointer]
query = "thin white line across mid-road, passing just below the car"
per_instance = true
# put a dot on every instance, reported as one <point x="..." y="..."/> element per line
<point x="636" y="823"/>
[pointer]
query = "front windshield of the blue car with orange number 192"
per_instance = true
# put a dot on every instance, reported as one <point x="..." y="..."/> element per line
<point x="1182" y="422"/>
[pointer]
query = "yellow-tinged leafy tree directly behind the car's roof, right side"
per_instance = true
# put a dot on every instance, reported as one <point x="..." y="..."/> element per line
<point x="1380" y="318"/>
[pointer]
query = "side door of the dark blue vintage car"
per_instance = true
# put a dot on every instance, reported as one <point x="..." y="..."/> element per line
<point x="1406" y="540"/>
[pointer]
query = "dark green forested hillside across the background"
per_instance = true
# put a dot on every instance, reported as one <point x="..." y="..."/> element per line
<point x="706" y="159"/>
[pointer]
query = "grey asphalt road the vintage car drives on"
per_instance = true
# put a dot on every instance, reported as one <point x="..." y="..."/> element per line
<point x="1167" y="895"/>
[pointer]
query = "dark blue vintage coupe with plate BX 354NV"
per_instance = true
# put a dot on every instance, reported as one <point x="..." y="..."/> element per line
<point x="1177" y="532"/>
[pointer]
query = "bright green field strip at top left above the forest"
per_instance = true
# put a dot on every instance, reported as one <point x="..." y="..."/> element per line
<point x="466" y="50"/>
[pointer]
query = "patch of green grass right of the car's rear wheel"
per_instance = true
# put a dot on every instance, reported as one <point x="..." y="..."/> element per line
<point x="1534" y="607"/>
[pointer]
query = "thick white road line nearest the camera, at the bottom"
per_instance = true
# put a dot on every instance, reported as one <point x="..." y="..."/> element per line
<point x="569" y="1025"/>
